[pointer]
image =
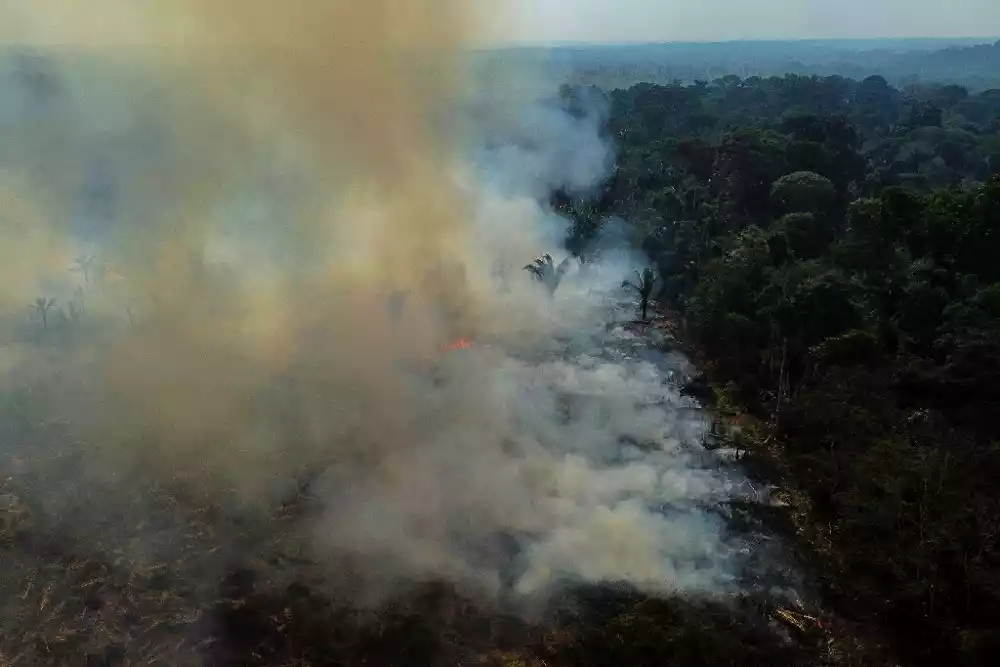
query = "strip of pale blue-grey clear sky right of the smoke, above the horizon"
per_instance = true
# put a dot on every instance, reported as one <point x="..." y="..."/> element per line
<point x="711" y="20"/>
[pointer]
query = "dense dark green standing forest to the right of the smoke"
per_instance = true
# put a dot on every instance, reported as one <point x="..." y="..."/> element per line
<point x="829" y="249"/>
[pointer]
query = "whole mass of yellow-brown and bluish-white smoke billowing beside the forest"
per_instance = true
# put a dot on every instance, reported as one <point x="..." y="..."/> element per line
<point x="291" y="214"/>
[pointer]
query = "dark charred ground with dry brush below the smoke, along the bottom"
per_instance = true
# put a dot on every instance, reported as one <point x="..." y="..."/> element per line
<point x="266" y="607"/>
